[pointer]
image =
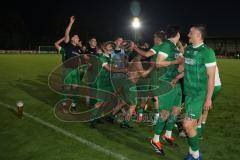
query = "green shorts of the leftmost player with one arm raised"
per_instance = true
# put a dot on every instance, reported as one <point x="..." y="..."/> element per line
<point x="71" y="76"/>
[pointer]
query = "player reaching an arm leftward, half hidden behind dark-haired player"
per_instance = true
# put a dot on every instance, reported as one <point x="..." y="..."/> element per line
<point x="159" y="37"/>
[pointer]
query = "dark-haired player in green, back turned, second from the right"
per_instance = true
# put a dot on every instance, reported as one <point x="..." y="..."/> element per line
<point x="169" y="103"/>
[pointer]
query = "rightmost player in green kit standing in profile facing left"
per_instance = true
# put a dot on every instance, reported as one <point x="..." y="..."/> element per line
<point x="199" y="76"/>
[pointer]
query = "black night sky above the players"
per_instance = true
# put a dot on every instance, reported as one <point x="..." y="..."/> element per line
<point x="27" y="24"/>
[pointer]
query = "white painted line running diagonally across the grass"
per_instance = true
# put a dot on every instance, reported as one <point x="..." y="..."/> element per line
<point x="68" y="134"/>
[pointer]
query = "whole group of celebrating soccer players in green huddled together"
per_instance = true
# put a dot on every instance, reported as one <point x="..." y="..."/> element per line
<point x="171" y="75"/>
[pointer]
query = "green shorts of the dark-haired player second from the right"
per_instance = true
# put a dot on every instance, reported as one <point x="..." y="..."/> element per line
<point x="171" y="99"/>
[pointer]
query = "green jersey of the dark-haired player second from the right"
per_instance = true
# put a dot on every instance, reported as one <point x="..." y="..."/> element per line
<point x="171" y="52"/>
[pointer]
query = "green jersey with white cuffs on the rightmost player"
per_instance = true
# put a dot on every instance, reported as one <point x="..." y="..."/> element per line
<point x="196" y="61"/>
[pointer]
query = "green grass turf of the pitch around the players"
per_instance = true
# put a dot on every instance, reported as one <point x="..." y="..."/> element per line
<point x="24" y="77"/>
